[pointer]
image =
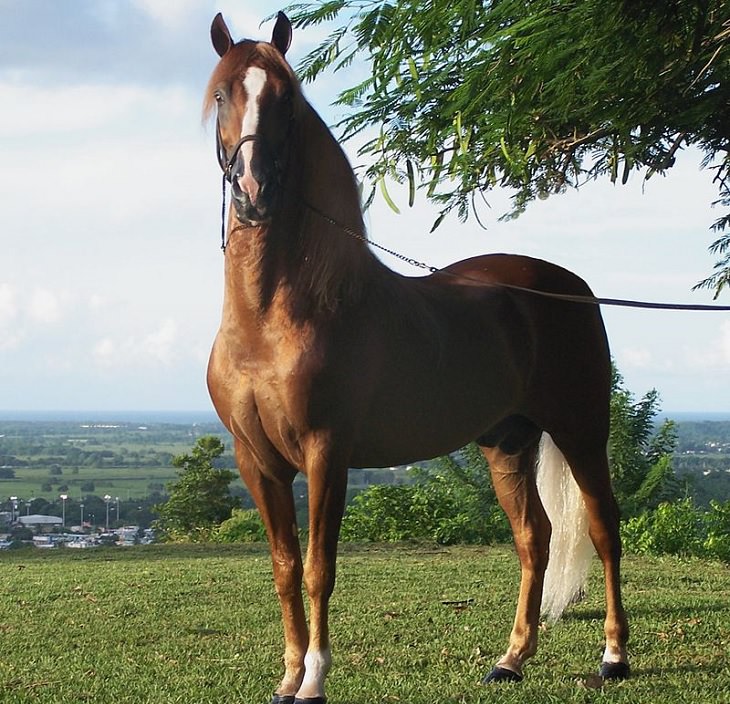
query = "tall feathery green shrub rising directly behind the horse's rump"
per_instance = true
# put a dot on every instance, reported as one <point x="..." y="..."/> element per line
<point x="640" y="457"/>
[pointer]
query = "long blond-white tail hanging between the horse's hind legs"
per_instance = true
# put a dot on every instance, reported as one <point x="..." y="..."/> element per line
<point x="571" y="548"/>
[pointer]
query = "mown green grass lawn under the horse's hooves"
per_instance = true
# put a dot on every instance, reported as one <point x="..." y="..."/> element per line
<point x="201" y="624"/>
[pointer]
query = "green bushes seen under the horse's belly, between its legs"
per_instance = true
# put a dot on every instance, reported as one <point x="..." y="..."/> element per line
<point x="451" y="502"/>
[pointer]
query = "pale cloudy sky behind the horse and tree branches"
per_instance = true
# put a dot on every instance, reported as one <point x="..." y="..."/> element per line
<point x="111" y="276"/>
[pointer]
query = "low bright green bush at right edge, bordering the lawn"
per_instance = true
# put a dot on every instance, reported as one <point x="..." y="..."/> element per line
<point x="680" y="528"/>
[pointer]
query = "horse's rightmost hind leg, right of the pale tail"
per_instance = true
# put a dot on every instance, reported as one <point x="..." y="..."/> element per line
<point x="589" y="466"/>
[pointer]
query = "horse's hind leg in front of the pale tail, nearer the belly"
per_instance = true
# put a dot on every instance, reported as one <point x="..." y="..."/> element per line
<point x="513" y="475"/>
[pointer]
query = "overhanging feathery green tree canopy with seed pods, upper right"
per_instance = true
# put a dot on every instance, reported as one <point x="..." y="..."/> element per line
<point x="534" y="95"/>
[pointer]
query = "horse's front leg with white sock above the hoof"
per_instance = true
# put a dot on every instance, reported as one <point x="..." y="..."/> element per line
<point x="327" y="488"/>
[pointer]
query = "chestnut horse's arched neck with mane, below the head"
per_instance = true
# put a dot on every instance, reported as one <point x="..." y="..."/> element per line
<point x="302" y="261"/>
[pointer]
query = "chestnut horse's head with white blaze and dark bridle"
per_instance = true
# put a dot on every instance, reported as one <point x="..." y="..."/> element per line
<point x="253" y="90"/>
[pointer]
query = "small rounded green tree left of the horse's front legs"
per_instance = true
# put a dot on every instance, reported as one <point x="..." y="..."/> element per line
<point x="200" y="499"/>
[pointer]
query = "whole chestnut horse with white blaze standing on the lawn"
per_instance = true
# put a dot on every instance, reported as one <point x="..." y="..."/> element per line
<point x="326" y="359"/>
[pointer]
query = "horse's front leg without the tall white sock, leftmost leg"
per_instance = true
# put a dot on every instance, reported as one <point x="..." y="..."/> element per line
<point x="275" y="503"/>
